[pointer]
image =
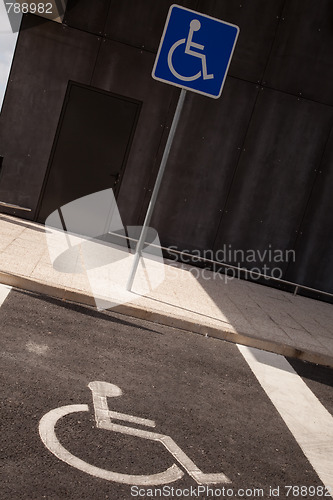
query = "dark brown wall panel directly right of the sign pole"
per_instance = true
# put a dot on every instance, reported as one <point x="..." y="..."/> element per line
<point x="201" y="164"/>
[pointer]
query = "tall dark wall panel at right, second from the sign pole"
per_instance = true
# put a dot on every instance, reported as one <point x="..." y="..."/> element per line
<point x="276" y="172"/>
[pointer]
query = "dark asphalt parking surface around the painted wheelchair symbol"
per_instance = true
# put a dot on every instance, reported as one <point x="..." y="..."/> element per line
<point x="198" y="391"/>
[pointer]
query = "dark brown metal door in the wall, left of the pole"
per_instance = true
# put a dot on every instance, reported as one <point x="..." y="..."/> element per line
<point x="91" y="146"/>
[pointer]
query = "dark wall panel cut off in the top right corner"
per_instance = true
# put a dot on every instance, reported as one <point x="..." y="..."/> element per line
<point x="301" y="61"/>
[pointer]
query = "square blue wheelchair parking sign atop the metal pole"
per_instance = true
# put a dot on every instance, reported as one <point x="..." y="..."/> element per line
<point x="195" y="51"/>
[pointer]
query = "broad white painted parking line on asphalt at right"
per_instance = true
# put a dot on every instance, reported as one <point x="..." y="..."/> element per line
<point x="307" y="419"/>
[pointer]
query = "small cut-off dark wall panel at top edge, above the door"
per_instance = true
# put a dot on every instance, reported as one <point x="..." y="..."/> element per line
<point x="87" y="15"/>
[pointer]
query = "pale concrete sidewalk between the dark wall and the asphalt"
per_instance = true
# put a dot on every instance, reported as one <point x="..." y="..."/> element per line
<point x="236" y="311"/>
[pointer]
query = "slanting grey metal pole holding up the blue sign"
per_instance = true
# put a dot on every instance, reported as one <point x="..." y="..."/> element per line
<point x="158" y="181"/>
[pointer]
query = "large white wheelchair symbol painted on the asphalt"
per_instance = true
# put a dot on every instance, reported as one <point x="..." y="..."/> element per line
<point x="104" y="420"/>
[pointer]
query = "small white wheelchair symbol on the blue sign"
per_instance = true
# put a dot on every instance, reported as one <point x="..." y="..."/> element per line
<point x="195" y="25"/>
